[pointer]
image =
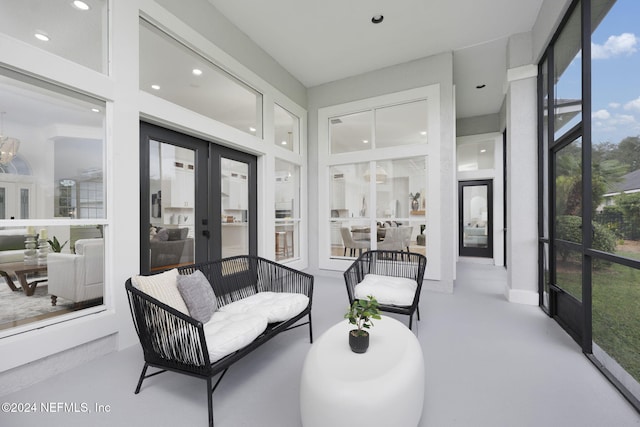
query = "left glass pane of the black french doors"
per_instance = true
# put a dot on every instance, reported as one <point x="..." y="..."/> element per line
<point x="172" y="189"/>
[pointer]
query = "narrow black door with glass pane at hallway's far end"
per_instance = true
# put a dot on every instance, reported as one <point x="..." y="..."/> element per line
<point x="475" y="217"/>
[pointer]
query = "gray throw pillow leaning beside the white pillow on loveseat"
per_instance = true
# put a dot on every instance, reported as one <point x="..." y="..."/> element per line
<point x="198" y="295"/>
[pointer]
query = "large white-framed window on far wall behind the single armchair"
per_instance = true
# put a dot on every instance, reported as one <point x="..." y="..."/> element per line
<point x="377" y="168"/>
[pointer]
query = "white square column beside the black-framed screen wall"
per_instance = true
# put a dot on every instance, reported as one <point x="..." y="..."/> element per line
<point x="522" y="186"/>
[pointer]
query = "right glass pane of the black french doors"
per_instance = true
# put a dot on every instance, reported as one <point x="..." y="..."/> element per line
<point x="235" y="207"/>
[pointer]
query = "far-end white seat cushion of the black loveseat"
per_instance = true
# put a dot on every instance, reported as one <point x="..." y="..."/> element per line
<point x="275" y="306"/>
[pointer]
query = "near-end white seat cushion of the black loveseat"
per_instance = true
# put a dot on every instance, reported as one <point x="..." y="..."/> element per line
<point x="226" y="333"/>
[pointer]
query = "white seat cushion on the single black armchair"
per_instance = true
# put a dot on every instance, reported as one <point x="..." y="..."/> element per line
<point x="387" y="289"/>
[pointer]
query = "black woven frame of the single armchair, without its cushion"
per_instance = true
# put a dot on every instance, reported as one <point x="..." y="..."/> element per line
<point x="392" y="264"/>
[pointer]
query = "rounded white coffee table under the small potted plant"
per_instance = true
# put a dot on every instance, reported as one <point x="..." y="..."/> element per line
<point x="382" y="387"/>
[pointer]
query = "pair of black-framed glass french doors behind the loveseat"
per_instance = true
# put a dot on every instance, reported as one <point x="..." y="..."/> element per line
<point x="197" y="200"/>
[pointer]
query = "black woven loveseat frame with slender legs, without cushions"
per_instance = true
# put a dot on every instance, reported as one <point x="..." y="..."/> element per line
<point x="174" y="341"/>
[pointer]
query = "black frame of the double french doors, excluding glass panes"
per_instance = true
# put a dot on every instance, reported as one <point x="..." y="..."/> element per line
<point x="207" y="210"/>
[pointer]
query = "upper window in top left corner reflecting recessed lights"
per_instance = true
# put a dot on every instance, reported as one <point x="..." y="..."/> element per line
<point x="74" y="30"/>
